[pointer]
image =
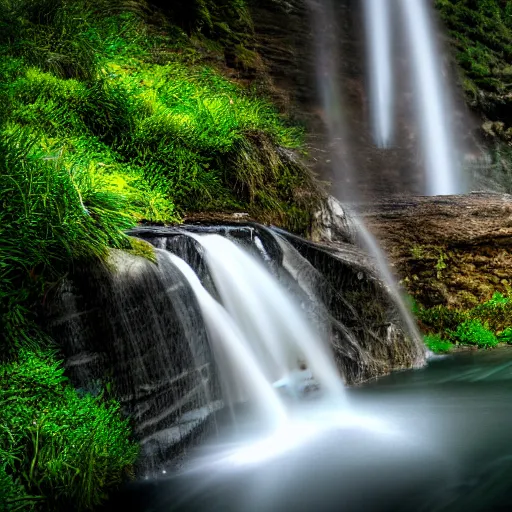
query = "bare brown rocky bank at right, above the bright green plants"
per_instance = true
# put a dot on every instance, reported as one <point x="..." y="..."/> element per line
<point x="451" y="250"/>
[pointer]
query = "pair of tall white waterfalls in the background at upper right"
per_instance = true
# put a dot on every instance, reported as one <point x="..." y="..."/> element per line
<point x="430" y="94"/>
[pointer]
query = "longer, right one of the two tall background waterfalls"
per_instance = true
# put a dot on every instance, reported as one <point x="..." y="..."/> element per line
<point x="431" y="100"/>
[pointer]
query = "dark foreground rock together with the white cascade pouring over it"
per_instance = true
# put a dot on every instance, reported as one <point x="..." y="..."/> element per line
<point x="256" y="321"/>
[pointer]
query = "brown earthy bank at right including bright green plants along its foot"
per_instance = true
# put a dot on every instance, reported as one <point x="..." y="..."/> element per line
<point x="453" y="256"/>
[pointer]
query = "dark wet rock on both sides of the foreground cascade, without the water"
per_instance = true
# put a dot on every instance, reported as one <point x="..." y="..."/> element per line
<point x="137" y="325"/>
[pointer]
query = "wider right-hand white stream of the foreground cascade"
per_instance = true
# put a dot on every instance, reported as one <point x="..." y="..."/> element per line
<point x="274" y="327"/>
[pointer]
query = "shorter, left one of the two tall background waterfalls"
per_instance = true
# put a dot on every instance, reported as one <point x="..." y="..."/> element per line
<point x="380" y="65"/>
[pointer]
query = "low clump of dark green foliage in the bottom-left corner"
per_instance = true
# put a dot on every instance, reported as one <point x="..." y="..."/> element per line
<point x="61" y="450"/>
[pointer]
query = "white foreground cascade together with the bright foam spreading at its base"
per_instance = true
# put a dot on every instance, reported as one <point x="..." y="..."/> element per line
<point x="270" y="356"/>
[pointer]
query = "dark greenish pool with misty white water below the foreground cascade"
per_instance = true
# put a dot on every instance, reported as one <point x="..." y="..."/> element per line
<point x="437" y="439"/>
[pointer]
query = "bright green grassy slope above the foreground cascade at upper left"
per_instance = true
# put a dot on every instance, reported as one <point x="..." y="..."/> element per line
<point x="89" y="149"/>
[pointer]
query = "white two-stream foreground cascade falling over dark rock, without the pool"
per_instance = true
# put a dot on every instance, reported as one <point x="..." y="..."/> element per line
<point x="268" y="353"/>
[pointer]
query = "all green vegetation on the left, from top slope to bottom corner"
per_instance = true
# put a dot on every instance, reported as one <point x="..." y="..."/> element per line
<point x="109" y="117"/>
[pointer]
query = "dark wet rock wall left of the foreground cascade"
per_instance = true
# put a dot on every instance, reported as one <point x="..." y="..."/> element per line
<point x="118" y="324"/>
